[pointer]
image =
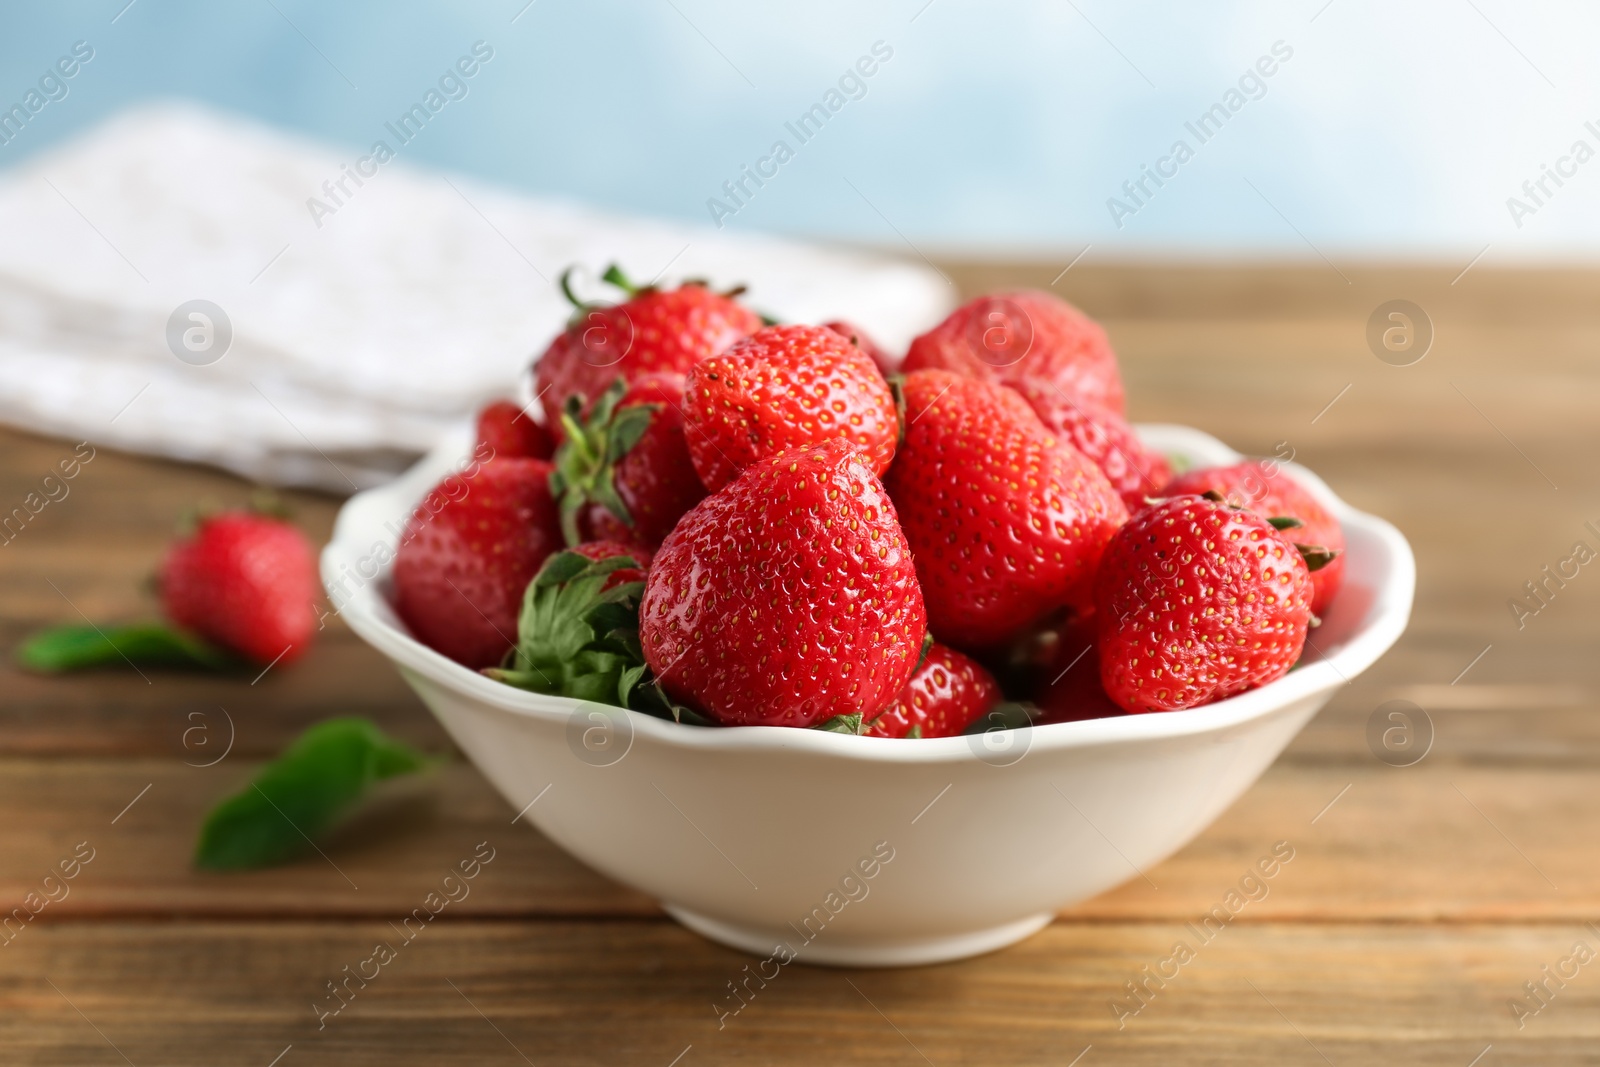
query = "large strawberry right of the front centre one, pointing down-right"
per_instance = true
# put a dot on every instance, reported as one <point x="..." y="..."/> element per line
<point x="1006" y="521"/>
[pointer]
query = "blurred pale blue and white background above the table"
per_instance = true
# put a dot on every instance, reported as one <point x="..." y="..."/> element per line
<point x="996" y="127"/>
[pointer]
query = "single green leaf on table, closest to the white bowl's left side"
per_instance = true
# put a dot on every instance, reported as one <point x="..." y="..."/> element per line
<point x="300" y="796"/>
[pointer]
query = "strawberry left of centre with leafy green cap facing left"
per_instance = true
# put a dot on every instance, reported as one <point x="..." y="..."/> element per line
<point x="625" y="471"/>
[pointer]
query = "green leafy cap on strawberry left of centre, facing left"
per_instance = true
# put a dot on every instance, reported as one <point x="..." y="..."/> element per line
<point x="586" y="463"/>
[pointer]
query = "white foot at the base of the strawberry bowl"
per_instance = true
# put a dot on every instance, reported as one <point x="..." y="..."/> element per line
<point x="898" y="953"/>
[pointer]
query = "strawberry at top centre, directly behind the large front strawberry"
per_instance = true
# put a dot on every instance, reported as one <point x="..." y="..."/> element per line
<point x="783" y="388"/>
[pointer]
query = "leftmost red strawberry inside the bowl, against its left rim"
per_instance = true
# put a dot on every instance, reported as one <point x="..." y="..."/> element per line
<point x="468" y="556"/>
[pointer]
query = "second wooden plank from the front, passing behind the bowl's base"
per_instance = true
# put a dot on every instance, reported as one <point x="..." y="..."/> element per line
<point x="1391" y="847"/>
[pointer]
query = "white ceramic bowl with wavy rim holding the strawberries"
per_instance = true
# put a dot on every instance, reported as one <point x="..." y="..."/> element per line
<point x="762" y="837"/>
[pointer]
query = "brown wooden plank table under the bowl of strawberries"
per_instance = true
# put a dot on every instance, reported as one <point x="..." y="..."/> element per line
<point x="1418" y="905"/>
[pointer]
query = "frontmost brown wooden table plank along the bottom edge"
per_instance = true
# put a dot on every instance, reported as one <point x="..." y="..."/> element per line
<point x="582" y="993"/>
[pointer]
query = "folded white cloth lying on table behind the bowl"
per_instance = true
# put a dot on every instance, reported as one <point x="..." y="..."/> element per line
<point x="358" y="334"/>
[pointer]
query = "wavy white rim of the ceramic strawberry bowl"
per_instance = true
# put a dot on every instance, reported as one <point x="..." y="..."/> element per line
<point x="386" y="508"/>
